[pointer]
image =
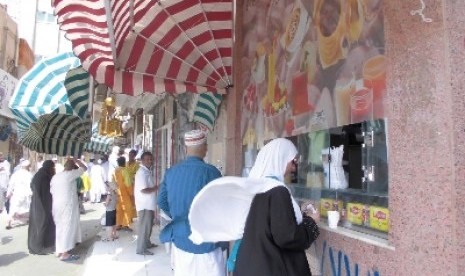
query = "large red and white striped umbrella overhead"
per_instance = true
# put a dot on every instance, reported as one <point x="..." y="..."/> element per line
<point x="137" y="46"/>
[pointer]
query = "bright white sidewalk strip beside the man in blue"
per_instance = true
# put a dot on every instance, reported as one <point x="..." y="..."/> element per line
<point x="119" y="257"/>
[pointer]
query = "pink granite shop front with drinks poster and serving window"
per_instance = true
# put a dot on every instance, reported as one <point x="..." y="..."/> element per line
<point x="350" y="83"/>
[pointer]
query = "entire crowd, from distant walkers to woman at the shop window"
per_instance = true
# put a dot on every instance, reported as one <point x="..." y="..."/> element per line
<point x="270" y="231"/>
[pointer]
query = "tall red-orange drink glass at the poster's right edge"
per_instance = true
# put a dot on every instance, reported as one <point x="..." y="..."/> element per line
<point x="374" y="77"/>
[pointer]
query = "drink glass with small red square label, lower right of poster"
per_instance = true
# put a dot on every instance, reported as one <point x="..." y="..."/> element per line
<point x="361" y="105"/>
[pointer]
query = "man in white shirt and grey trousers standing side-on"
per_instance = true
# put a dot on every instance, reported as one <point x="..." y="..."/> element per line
<point x="144" y="193"/>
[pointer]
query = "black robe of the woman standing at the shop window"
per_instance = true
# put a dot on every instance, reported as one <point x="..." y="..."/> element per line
<point x="273" y="244"/>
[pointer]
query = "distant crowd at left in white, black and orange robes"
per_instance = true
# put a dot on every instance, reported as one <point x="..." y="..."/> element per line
<point x="50" y="200"/>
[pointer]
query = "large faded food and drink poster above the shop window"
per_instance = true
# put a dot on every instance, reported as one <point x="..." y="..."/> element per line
<point x="310" y="65"/>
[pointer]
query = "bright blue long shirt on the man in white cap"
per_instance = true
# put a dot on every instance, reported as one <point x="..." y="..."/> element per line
<point x="179" y="187"/>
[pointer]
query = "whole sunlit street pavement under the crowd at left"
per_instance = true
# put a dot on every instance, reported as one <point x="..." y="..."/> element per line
<point x="97" y="257"/>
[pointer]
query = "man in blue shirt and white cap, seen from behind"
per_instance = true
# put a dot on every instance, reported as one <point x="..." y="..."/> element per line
<point x="179" y="187"/>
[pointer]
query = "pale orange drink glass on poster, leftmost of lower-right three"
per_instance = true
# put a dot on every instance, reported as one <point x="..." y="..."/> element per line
<point x="342" y="91"/>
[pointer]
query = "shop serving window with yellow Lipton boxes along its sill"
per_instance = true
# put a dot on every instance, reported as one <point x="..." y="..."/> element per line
<point x="345" y="169"/>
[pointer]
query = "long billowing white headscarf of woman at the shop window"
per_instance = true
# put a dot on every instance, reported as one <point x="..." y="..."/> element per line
<point x="219" y="211"/>
